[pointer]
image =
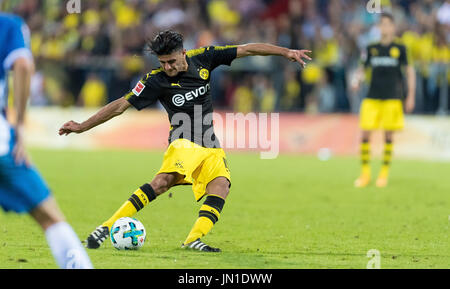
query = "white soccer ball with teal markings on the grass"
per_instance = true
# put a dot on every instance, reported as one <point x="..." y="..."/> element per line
<point x="127" y="234"/>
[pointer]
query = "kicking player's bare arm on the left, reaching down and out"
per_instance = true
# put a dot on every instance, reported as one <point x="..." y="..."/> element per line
<point x="107" y="112"/>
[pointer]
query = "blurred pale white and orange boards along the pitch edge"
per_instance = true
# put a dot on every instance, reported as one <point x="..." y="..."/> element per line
<point x="424" y="137"/>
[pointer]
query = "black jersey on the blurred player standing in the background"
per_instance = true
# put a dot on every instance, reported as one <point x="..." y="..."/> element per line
<point x="386" y="64"/>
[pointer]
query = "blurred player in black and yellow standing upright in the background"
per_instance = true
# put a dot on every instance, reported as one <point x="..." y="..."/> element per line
<point x="383" y="106"/>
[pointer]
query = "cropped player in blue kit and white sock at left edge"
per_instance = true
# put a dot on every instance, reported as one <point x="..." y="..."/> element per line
<point x="21" y="187"/>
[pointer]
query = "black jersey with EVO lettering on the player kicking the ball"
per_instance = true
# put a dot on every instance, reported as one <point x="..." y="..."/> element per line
<point x="186" y="96"/>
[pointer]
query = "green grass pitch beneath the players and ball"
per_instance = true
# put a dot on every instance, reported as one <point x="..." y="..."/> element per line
<point x="290" y="212"/>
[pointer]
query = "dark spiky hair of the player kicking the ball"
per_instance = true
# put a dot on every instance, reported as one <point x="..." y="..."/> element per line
<point x="166" y="42"/>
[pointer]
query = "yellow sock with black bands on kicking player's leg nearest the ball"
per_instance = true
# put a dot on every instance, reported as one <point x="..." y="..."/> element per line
<point x="138" y="200"/>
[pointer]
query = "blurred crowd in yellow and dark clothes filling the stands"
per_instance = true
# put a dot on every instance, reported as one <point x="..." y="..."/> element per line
<point x="96" y="56"/>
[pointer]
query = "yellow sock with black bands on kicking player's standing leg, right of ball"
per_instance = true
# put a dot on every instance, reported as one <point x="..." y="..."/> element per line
<point x="208" y="215"/>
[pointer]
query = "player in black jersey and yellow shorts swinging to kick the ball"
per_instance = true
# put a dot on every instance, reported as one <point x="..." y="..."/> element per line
<point x="194" y="155"/>
